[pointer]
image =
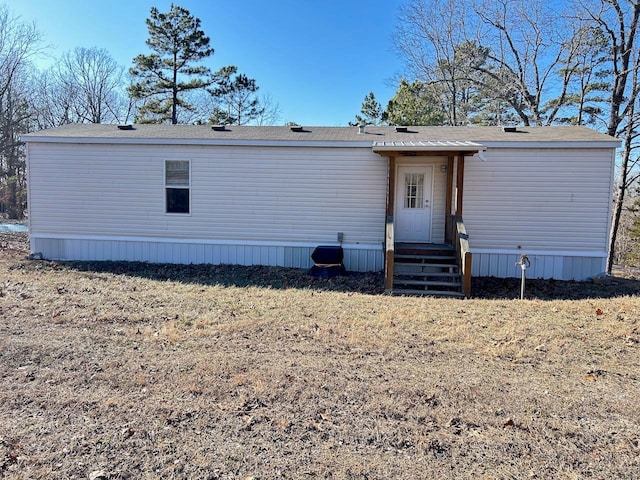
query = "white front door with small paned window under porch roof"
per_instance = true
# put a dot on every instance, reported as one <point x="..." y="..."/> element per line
<point x="413" y="203"/>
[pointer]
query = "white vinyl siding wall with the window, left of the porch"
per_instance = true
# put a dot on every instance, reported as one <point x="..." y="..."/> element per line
<point x="274" y="194"/>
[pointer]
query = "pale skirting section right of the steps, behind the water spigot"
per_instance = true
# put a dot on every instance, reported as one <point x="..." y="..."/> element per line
<point x="562" y="266"/>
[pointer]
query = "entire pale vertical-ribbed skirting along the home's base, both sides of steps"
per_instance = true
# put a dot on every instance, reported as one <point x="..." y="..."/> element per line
<point x="357" y="258"/>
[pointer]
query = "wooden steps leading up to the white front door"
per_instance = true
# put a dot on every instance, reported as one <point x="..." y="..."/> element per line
<point x="426" y="270"/>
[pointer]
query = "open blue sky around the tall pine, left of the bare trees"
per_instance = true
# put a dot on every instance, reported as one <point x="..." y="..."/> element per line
<point x="316" y="58"/>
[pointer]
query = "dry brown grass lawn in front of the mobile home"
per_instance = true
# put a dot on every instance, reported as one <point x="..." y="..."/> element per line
<point x="139" y="371"/>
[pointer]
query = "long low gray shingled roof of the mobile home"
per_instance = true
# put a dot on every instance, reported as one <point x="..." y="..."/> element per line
<point x="379" y="135"/>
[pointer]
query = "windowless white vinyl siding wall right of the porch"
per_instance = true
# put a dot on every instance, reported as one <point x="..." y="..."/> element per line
<point x="539" y="200"/>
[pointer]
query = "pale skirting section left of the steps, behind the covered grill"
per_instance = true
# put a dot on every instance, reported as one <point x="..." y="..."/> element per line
<point x="357" y="258"/>
